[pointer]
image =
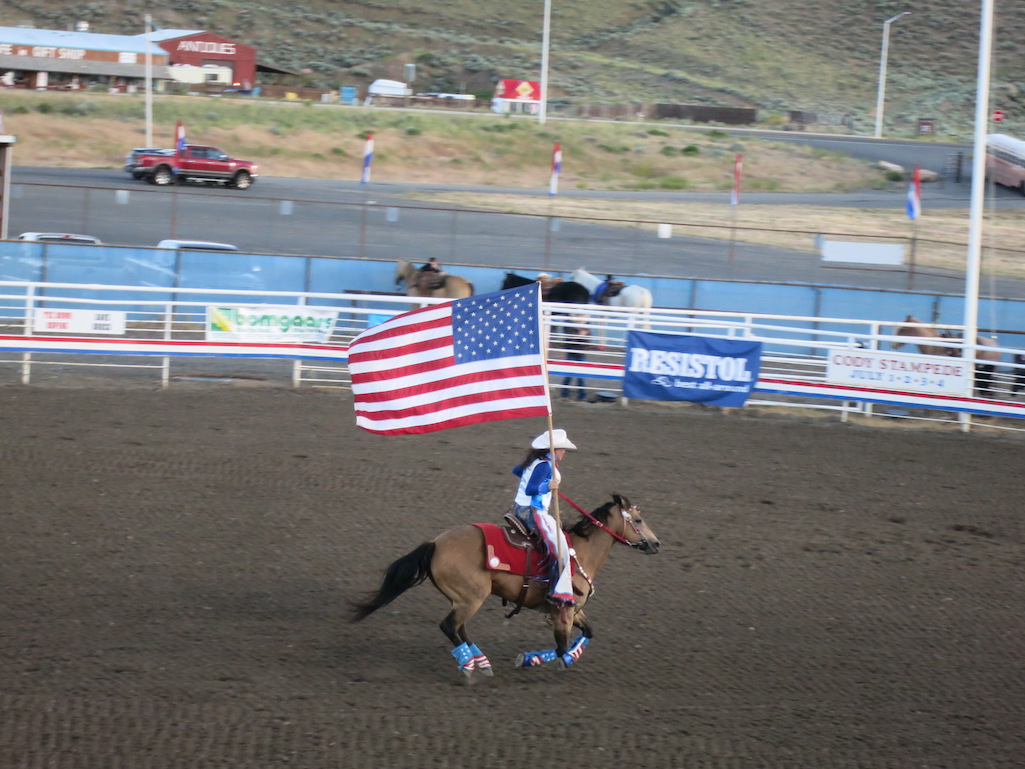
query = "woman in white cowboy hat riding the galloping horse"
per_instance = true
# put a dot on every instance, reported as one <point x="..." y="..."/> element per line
<point x="540" y="478"/>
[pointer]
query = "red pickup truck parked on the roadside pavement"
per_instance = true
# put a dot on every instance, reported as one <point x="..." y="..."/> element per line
<point x="196" y="164"/>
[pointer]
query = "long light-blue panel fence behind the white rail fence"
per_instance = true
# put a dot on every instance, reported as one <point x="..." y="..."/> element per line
<point x="224" y="273"/>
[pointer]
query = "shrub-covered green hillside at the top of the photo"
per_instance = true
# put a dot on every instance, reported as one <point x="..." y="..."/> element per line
<point x="776" y="56"/>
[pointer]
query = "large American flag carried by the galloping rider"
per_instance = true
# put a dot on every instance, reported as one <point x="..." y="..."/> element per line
<point x="468" y="361"/>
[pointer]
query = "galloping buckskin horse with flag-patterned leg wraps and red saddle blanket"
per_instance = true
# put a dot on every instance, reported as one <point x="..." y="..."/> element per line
<point x="457" y="562"/>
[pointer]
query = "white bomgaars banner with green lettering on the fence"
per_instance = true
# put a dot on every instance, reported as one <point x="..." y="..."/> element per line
<point x="269" y="323"/>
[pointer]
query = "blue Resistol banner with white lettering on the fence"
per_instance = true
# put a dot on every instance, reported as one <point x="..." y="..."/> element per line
<point x="705" y="370"/>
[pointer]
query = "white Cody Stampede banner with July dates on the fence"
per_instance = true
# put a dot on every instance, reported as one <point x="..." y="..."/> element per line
<point x="922" y="374"/>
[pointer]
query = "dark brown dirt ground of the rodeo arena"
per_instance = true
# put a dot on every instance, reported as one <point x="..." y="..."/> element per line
<point x="176" y="564"/>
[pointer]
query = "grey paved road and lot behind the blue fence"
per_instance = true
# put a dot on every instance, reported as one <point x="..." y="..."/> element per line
<point x="340" y="218"/>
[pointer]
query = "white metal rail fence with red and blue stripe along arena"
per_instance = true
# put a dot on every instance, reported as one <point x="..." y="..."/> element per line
<point x="47" y="328"/>
